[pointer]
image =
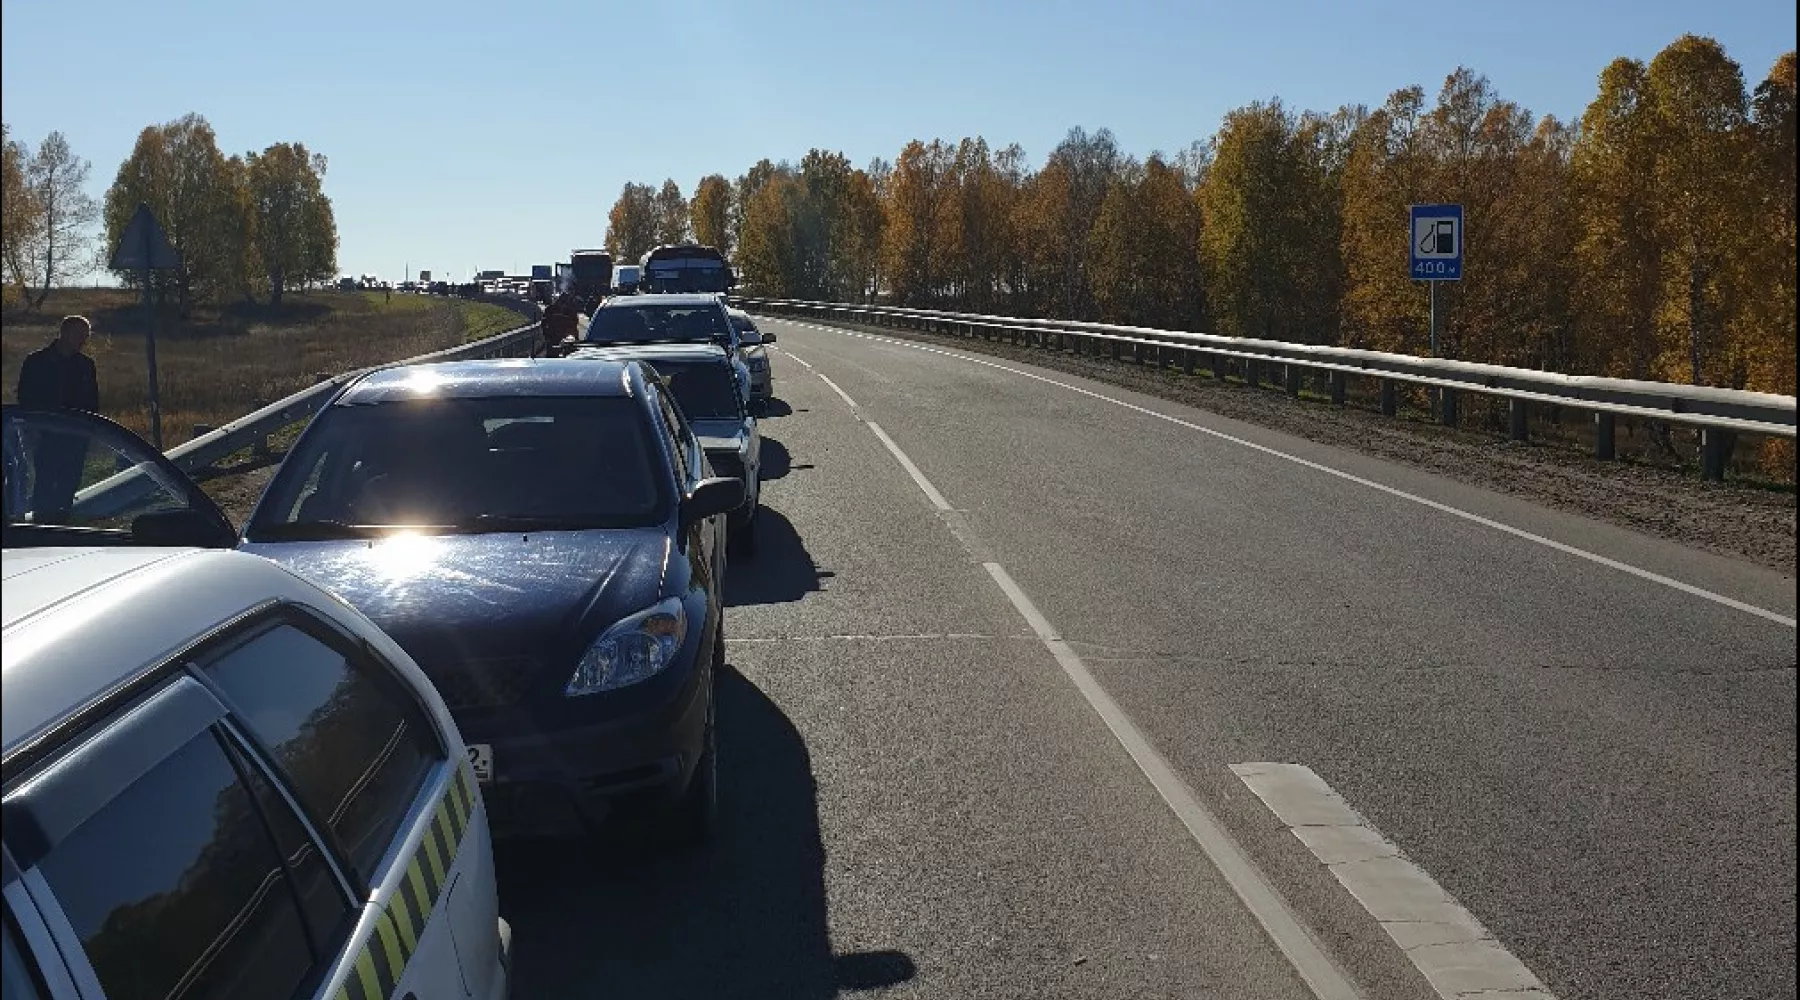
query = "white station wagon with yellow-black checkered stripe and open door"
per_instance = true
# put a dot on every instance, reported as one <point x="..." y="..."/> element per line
<point x="220" y="774"/>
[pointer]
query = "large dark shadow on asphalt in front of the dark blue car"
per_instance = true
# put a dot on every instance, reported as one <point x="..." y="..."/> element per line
<point x="744" y="918"/>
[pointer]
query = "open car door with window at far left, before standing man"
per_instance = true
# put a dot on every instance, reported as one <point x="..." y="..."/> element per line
<point x="80" y="479"/>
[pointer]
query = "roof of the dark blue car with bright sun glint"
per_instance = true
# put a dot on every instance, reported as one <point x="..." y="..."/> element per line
<point x="490" y="379"/>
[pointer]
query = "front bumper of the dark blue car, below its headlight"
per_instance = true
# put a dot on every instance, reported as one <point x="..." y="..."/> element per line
<point x="568" y="781"/>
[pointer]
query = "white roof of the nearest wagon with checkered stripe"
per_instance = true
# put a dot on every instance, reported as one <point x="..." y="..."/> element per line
<point x="80" y="623"/>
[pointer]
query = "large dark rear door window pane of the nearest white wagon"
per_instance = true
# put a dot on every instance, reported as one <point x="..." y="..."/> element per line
<point x="174" y="888"/>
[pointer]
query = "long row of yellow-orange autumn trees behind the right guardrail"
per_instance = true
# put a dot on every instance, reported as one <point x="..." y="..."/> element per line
<point x="1653" y="238"/>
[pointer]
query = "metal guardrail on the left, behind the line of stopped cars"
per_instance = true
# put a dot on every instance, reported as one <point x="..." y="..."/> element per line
<point x="253" y="431"/>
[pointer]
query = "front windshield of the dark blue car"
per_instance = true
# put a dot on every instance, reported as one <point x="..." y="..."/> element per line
<point x="469" y="465"/>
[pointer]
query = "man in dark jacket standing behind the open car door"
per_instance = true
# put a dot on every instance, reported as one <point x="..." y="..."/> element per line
<point x="60" y="377"/>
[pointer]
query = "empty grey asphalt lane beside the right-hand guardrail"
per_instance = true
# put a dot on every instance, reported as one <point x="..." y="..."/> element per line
<point x="1601" y="767"/>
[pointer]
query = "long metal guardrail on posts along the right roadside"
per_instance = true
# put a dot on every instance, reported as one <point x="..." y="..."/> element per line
<point x="1718" y="413"/>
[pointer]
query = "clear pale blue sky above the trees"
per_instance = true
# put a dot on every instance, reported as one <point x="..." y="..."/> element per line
<point x="489" y="136"/>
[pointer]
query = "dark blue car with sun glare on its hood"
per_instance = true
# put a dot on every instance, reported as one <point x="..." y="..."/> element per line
<point x="548" y="540"/>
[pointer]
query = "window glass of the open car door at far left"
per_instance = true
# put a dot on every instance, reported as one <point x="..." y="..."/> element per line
<point x="78" y="472"/>
